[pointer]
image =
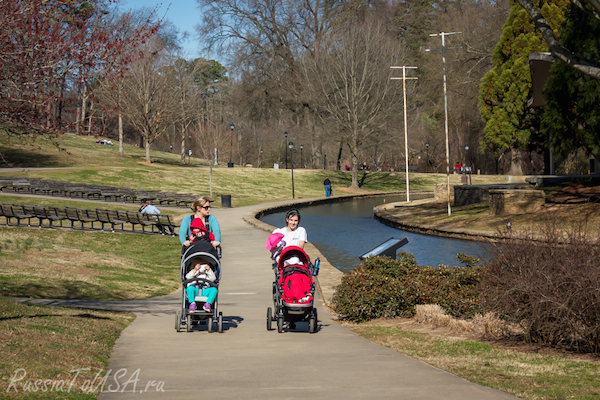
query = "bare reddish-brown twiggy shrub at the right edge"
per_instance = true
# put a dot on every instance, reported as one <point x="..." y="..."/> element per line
<point x="551" y="287"/>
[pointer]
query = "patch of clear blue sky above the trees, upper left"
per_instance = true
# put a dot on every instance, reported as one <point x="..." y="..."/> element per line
<point x="184" y="14"/>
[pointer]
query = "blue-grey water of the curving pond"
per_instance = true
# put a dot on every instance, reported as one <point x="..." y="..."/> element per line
<point x="343" y="231"/>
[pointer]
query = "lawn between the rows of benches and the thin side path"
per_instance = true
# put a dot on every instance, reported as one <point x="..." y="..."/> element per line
<point x="87" y="265"/>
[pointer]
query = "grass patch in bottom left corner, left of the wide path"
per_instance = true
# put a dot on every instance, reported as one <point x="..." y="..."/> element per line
<point x="48" y="342"/>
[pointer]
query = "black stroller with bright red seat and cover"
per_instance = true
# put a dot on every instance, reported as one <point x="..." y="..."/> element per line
<point x="293" y="290"/>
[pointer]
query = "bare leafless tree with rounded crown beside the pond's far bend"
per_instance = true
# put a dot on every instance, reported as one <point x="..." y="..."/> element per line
<point x="350" y="82"/>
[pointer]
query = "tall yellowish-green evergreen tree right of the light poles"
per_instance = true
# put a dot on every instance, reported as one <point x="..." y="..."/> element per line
<point x="505" y="90"/>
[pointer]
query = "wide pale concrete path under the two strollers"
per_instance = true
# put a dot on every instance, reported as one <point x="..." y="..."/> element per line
<point x="248" y="362"/>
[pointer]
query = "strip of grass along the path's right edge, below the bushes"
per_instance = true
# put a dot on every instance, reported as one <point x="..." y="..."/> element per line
<point x="525" y="375"/>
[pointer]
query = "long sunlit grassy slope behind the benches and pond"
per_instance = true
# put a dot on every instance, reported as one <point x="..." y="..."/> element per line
<point x="97" y="164"/>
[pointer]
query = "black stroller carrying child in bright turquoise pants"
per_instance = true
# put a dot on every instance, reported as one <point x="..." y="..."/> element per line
<point x="200" y="276"/>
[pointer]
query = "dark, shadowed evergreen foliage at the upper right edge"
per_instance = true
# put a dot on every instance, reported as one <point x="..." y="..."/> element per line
<point x="571" y="120"/>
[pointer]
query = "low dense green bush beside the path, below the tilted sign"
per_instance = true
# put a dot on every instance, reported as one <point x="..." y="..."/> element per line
<point x="382" y="287"/>
